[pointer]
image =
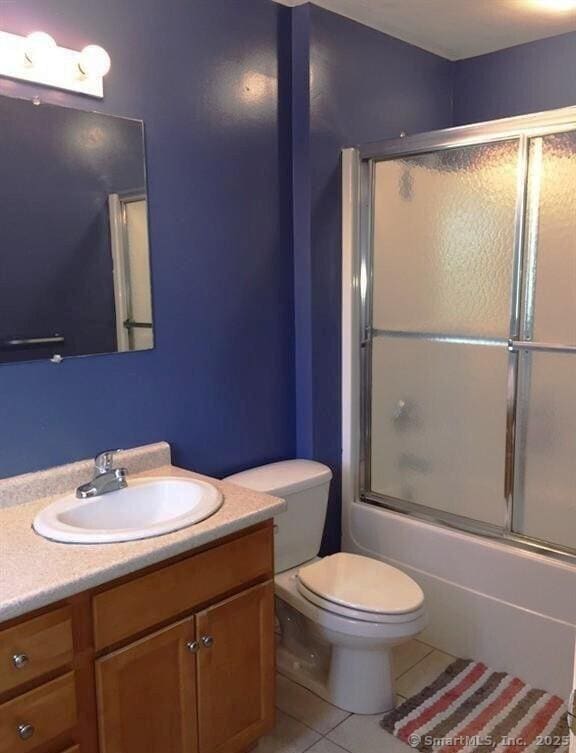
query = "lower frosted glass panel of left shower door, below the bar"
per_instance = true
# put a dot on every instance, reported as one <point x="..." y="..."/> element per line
<point x="438" y="425"/>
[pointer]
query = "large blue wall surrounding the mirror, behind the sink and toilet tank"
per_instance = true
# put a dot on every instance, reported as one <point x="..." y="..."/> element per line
<point x="220" y="384"/>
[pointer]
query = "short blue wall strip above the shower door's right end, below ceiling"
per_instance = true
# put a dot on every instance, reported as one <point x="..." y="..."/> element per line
<point x="519" y="80"/>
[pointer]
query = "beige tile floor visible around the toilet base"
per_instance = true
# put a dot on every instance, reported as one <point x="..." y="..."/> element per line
<point x="305" y="722"/>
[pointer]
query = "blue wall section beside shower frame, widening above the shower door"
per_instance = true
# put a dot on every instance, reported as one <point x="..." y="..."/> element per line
<point x="365" y="86"/>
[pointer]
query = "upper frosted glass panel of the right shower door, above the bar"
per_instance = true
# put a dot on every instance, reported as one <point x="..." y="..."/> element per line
<point x="553" y="172"/>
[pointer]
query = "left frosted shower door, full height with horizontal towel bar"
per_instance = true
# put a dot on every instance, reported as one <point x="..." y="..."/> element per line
<point x="444" y="258"/>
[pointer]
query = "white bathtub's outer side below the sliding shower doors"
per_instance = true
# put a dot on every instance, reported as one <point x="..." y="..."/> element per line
<point x="513" y="610"/>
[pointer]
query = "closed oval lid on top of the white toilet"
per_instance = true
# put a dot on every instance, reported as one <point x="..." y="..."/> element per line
<point x="362" y="583"/>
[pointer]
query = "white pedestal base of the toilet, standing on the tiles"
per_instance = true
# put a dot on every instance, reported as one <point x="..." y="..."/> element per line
<point x="359" y="682"/>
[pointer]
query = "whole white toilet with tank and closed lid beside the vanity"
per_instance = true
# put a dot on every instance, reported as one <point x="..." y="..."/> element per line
<point x="338" y="616"/>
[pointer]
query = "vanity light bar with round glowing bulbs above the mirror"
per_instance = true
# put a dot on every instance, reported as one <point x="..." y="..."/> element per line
<point x="38" y="59"/>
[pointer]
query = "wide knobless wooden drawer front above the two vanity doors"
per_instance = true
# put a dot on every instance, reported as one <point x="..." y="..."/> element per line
<point x="144" y="602"/>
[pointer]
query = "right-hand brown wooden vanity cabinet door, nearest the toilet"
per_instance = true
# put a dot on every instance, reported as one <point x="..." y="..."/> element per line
<point x="236" y="671"/>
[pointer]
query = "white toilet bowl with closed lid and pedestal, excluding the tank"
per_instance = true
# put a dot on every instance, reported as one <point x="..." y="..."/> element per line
<point x="357" y="676"/>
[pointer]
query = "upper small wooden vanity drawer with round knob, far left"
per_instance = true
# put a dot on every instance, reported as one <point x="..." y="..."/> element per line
<point x="35" y="647"/>
